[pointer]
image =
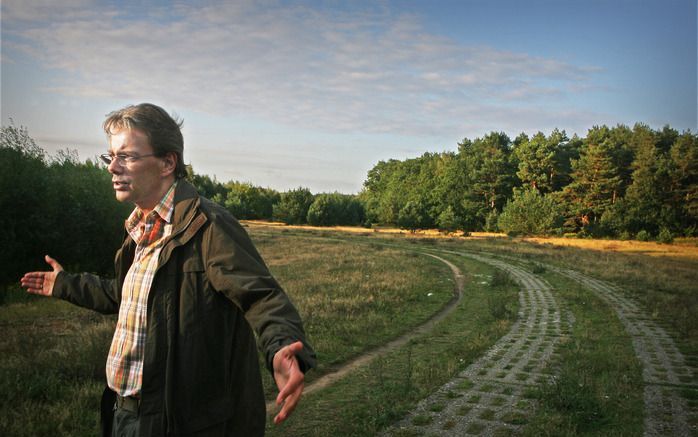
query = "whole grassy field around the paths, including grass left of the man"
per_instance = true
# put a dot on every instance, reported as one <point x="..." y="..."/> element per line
<point x="357" y="290"/>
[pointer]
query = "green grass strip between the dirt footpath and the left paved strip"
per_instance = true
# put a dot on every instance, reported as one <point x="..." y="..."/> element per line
<point x="376" y="395"/>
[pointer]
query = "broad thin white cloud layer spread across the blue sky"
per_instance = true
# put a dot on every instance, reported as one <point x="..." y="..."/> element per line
<point x="368" y="71"/>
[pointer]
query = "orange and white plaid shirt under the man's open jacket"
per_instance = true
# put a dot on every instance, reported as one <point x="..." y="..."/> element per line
<point x="125" y="360"/>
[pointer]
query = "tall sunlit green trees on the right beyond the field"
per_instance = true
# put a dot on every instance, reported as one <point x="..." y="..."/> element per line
<point x="615" y="182"/>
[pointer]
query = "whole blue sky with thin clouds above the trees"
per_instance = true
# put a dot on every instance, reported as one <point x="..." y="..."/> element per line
<point x="284" y="94"/>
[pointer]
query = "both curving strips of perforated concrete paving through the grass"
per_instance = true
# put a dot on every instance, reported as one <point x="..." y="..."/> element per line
<point x="488" y="398"/>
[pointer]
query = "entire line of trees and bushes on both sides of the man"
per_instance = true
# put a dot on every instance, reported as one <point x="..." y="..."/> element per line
<point x="617" y="182"/>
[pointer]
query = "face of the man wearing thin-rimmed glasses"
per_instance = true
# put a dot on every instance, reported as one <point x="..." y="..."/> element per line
<point x="140" y="181"/>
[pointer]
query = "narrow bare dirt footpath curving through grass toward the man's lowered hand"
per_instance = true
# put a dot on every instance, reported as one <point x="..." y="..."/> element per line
<point x="330" y="378"/>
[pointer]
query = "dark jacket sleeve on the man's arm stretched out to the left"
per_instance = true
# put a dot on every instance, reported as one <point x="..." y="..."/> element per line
<point x="88" y="291"/>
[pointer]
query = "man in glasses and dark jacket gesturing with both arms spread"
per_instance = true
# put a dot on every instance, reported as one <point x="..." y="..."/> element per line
<point x="190" y="289"/>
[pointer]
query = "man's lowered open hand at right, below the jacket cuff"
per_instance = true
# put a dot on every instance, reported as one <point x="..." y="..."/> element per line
<point x="289" y="380"/>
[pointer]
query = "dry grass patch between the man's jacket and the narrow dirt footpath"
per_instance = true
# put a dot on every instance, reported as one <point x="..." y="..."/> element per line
<point x="353" y="297"/>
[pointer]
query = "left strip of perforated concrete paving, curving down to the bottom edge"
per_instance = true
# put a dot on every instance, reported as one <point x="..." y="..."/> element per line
<point x="489" y="397"/>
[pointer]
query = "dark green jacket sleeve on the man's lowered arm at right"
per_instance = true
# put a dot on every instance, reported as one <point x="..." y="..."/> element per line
<point x="235" y="268"/>
